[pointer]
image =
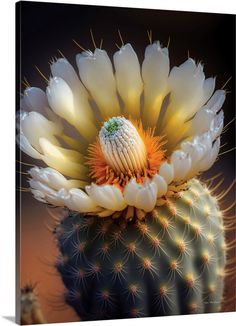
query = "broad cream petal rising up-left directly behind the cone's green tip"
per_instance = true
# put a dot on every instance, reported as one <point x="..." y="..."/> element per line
<point x="96" y="72"/>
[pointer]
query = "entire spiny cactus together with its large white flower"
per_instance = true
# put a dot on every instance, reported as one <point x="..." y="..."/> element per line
<point x="124" y="146"/>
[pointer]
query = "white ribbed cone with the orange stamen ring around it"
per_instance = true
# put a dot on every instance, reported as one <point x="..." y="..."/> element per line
<point x="124" y="150"/>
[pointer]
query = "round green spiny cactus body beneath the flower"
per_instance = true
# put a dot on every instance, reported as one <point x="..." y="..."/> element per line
<point x="170" y="263"/>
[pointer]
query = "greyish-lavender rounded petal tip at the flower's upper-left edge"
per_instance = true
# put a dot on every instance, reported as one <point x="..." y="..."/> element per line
<point x="35" y="99"/>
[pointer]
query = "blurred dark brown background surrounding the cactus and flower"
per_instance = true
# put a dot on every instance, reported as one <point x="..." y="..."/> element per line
<point x="43" y="28"/>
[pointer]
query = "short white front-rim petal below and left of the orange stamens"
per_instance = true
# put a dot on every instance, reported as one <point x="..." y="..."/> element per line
<point x="79" y="201"/>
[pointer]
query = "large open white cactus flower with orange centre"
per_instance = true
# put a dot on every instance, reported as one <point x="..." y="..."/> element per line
<point x="120" y="136"/>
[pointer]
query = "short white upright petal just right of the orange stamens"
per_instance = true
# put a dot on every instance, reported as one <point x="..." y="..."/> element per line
<point x="181" y="164"/>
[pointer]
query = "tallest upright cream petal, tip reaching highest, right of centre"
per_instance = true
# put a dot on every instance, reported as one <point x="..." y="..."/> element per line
<point x="155" y="70"/>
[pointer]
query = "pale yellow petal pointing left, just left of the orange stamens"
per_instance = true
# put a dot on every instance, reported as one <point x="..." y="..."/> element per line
<point x="57" y="159"/>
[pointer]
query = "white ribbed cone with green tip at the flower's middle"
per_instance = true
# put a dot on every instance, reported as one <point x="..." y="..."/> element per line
<point x="122" y="146"/>
